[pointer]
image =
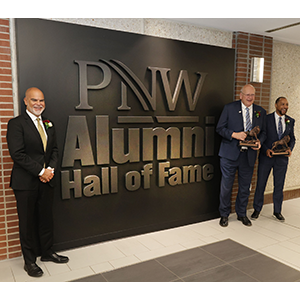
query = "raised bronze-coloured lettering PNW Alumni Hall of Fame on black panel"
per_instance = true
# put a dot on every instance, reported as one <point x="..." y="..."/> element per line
<point x="172" y="143"/>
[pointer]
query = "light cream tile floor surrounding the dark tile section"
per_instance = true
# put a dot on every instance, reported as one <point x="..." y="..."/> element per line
<point x="267" y="236"/>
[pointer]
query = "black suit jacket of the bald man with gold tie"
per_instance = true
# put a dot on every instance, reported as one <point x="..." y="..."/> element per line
<point x="26" y="149"/>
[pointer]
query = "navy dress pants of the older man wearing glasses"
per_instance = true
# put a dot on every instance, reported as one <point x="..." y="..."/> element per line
<point x="245" y="172"/>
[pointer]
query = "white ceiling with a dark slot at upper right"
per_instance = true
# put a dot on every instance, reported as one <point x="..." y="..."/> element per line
<point x="252" y="25"/>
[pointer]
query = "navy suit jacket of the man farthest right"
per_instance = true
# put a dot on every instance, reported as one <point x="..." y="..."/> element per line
<point x="272" y="137"/>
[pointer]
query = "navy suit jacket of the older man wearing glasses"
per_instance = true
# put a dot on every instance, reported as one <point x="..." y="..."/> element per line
<point x="231" y="120"/>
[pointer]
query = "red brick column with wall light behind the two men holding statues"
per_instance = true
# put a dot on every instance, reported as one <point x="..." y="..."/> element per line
<point x="249" y="45"/>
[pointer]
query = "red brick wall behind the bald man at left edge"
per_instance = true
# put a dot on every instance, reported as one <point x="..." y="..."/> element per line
<point x="9" y="236"/>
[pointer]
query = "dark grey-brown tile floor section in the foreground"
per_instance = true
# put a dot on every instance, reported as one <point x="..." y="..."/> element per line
<point x="224" y="261"/>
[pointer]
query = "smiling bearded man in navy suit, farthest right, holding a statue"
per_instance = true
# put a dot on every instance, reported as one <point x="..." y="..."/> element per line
<point x="278" y="125"/>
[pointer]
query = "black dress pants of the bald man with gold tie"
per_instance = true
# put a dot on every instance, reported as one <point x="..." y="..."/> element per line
<point x="35" y="221"/>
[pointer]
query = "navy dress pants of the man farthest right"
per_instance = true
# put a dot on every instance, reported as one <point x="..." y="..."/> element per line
<point x="279" y="171"/>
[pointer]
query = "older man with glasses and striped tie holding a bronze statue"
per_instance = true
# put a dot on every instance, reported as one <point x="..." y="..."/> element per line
<point x="236" y="119"/>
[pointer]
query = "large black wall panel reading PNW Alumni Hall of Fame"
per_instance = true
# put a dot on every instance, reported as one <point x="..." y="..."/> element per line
<point x="135" y="117"/>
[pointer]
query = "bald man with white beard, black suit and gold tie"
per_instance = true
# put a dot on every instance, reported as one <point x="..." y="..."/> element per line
<point x="32" y="145"/>
